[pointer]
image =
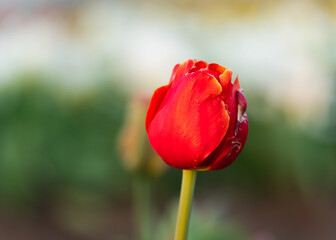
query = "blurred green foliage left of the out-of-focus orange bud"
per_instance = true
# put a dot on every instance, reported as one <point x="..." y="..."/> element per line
<point x="51" y="141"/>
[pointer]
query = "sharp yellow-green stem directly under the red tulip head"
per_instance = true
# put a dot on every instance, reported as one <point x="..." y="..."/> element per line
<point x="186" y="196"/>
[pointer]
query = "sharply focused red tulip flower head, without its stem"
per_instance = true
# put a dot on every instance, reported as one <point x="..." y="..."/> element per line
<point x="198" y="121"/>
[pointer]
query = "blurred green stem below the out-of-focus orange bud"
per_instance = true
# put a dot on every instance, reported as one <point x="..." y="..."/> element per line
<point x="142" y="207"/>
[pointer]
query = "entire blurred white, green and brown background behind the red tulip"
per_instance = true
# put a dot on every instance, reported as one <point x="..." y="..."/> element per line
<point x="73" y="152"/>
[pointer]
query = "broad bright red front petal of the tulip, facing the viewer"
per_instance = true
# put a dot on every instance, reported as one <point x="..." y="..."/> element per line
<point x="190" y="122"/>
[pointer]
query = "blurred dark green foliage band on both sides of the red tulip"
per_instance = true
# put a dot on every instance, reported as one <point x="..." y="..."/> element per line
<point x="53" y="141"/>
